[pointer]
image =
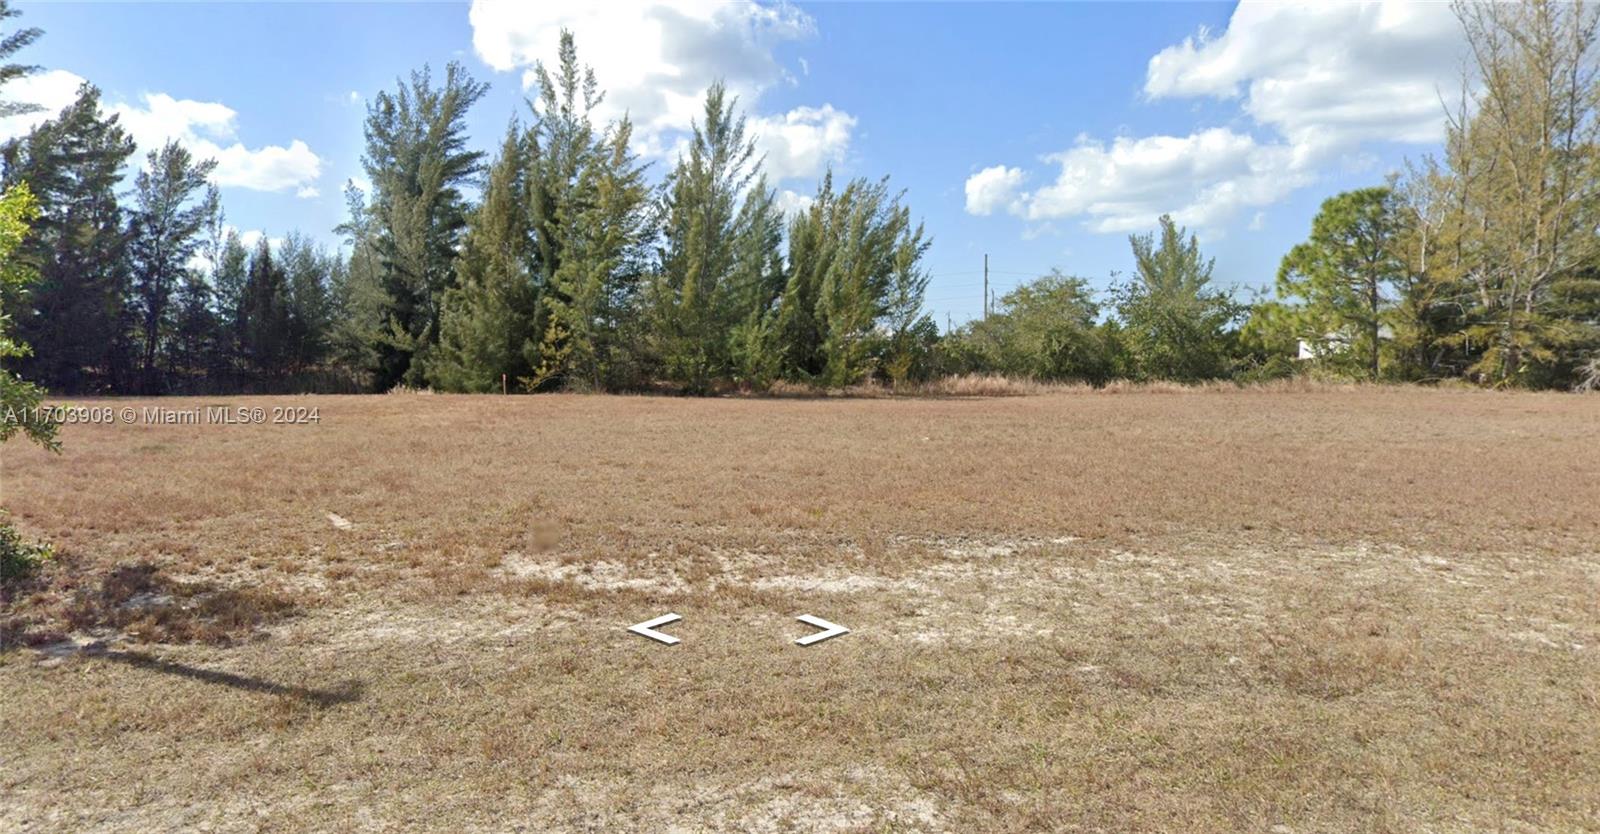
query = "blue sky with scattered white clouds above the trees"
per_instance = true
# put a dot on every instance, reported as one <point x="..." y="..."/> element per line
<point x="1039" y="134"/>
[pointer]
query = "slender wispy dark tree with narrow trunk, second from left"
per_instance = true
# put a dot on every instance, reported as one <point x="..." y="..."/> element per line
<point x="174" y="207"/>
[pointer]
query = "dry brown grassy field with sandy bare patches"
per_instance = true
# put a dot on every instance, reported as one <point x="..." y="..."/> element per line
<point x="1254" y="611"/>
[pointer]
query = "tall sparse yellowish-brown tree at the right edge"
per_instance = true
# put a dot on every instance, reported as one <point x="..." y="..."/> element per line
<point x="1527" y="177"/>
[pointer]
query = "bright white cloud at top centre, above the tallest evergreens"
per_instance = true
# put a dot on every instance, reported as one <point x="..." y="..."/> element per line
<point x="657" y="58"/>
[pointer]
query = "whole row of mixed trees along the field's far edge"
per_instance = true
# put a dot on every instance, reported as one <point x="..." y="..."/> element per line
<point x="556" y="263"/>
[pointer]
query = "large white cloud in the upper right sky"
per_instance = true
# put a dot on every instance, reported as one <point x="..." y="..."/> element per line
<point x="1318" y="81"/>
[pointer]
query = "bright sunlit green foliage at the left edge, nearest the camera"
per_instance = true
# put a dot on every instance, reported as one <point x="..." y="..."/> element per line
<point x="18" y="401"/>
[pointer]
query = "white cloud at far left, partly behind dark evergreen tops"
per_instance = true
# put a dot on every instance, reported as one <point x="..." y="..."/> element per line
<point x="207" y="129"/>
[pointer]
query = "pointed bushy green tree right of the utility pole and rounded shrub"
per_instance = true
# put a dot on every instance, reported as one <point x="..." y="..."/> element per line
<point x="1175" y="323"/>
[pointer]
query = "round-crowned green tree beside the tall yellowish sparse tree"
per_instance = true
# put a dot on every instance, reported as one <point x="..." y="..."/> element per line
<point x="1346" y="275"/>
